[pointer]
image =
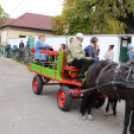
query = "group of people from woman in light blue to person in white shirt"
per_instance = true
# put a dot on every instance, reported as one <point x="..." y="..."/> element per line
<point x="75" y="54"/>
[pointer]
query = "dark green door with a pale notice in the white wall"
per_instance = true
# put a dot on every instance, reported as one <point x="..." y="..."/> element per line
<point x="123" y="49"/>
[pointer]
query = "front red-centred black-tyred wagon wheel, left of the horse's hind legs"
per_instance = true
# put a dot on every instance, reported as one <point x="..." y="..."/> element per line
<point x="64" y="100"/>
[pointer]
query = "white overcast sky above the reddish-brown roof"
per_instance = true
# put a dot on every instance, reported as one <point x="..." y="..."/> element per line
<point x="45" y="7"/>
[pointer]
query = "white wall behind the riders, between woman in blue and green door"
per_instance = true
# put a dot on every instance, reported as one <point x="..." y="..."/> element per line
<point x="104" y="42"/>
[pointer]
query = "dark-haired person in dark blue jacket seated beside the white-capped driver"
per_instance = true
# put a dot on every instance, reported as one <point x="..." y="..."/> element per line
<point x="93" y="49"/>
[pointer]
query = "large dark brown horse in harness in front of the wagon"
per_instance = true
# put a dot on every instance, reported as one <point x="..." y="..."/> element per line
<point x="101" y="73"/>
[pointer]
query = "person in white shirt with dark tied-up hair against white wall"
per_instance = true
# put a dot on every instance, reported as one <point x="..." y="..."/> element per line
<point x="109" y="56"/>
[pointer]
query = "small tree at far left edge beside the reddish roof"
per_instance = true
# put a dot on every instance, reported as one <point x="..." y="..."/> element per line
<point x="3" y="16"/>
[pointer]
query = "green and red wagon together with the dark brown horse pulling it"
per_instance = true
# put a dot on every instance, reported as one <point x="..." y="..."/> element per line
<point x="114" y="83"/>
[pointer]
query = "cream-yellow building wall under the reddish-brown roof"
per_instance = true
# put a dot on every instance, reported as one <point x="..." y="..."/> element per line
<point x="14" y="32"/>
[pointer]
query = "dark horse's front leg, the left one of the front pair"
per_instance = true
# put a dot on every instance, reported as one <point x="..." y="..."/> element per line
<point x="128" y="110"/>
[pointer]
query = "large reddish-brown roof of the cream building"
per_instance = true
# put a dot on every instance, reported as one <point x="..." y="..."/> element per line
<point x="31" y="20"/>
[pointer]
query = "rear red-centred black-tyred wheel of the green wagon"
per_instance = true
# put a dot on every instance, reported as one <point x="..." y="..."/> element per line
<point x="37" y="85"/>
